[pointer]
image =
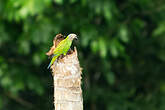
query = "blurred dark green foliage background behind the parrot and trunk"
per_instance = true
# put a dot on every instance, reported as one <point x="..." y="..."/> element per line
<point x="121" y="49"/>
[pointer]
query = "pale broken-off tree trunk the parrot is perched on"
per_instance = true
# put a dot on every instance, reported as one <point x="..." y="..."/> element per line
<point x="67" y="83"/>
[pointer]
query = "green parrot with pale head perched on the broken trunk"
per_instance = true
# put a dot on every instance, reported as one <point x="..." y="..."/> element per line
<point x="62" y="48"/>
